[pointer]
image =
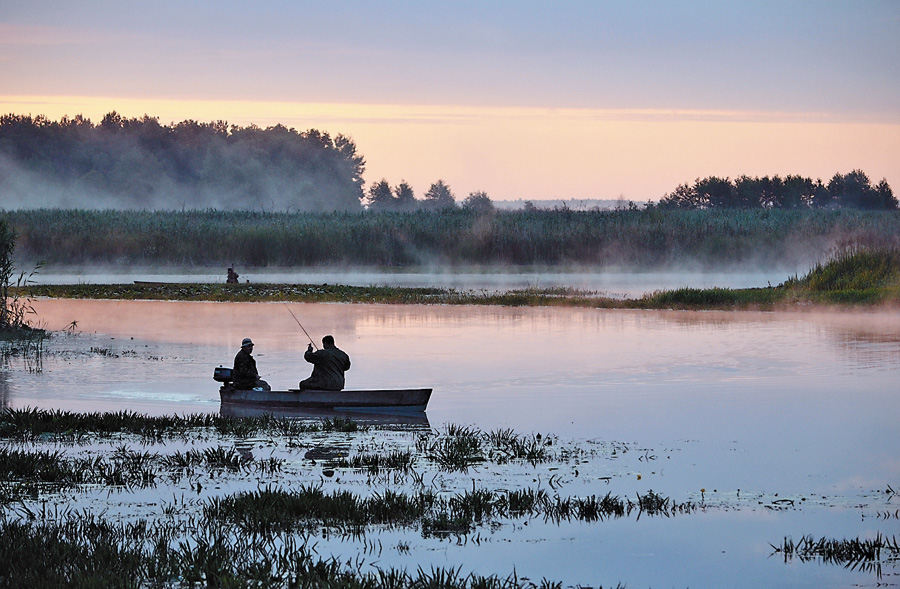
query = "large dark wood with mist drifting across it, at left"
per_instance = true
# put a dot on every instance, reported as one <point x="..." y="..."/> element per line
<point x="138" y="163"/>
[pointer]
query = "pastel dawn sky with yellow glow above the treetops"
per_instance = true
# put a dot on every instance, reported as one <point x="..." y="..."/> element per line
<point x="521" y="99"/>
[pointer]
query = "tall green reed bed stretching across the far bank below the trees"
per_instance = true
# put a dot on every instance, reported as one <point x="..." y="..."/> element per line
<point x="633" y="238"/>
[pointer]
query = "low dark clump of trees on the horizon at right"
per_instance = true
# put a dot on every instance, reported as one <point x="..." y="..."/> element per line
<point x="852" y="190"/>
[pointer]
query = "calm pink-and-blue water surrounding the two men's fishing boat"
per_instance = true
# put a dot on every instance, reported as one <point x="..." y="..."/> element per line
<point x="750" y="406"/>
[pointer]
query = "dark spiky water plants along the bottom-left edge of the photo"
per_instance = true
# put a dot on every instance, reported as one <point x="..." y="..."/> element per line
<point x="85" y="551"/>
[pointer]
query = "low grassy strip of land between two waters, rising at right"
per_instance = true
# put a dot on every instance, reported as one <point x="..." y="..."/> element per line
<point x="853" y="278"/>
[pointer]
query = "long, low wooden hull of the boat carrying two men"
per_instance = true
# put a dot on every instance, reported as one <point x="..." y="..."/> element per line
<point x="374" y="400"/>
